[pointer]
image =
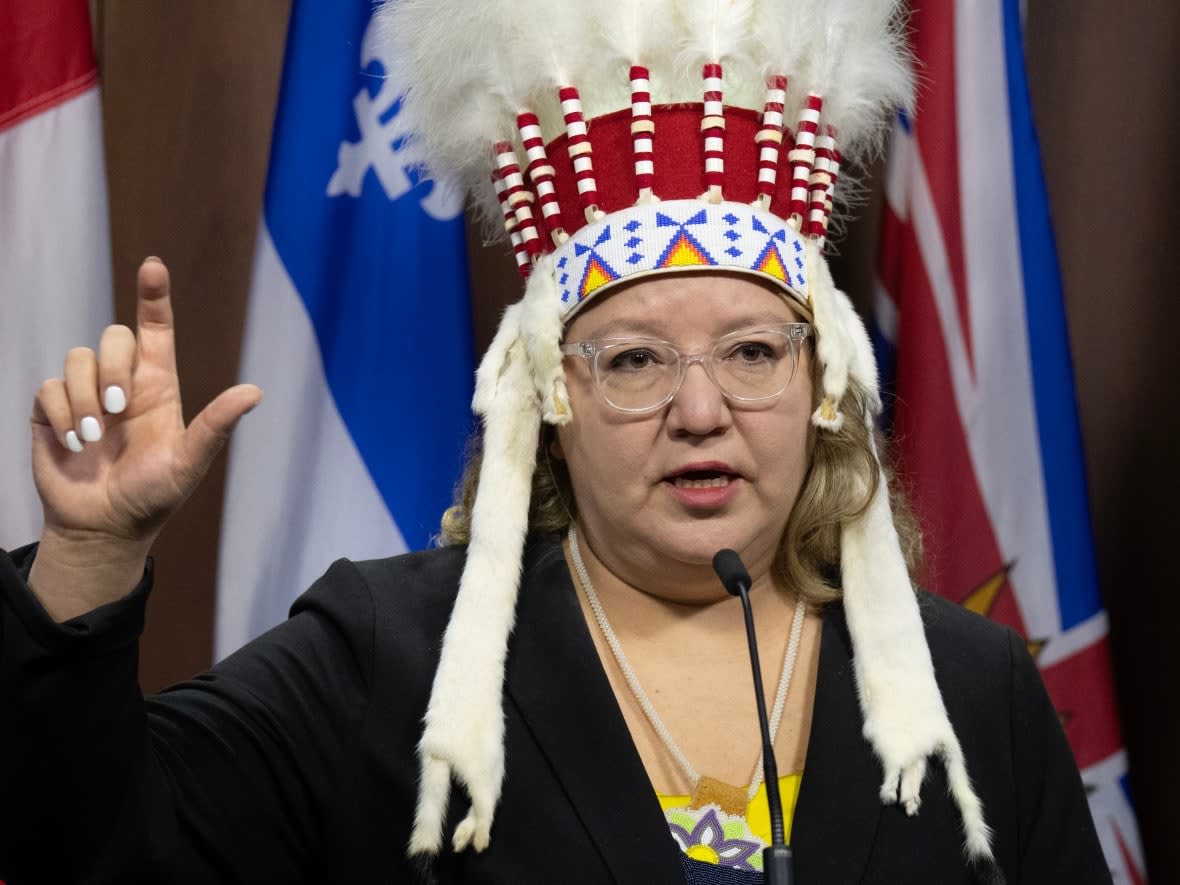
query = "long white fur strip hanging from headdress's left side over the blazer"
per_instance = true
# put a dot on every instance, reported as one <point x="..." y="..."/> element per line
<point x="464" y="726"/>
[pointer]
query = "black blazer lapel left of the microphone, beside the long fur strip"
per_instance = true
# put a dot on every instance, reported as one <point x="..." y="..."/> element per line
<point x="561" y="690"/>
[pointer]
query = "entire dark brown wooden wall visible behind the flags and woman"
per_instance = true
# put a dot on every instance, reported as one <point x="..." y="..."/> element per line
<point x="189" y="93"/>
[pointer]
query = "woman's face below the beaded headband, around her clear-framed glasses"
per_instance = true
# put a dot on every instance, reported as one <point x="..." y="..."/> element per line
<point x="643" y="504"/>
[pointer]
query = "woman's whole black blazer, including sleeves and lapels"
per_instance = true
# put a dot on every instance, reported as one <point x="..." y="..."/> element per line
<point x="294" y="759"/>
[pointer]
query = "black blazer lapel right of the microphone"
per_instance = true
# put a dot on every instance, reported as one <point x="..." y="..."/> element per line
<point x="840" y="807"/>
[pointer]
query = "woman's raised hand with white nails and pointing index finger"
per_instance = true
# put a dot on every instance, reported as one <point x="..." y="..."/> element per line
<point x="113" y="458"/>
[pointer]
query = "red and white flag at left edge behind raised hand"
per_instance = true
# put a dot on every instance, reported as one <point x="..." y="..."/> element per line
<point x="55" y="239"/>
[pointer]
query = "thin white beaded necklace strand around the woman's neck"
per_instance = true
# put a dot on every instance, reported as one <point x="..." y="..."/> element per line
<point x="650" y="711"/>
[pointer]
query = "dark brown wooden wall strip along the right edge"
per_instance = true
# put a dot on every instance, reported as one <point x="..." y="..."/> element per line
<point x="1104" y="81"/>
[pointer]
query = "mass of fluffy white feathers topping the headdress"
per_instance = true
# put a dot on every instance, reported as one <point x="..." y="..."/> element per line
<point x="468" y="69"/>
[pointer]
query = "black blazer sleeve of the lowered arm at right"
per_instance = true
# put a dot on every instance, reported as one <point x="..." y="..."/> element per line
<point x="1057" y="831"/>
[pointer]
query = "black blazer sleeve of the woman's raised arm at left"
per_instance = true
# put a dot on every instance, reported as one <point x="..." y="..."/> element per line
<point x="227" y="778"/>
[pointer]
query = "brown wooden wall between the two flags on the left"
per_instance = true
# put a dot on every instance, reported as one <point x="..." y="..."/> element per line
<point x="189" y="96"/>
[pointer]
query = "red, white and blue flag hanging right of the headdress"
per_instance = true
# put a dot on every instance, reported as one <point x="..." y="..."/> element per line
<point x="971" y="314"/>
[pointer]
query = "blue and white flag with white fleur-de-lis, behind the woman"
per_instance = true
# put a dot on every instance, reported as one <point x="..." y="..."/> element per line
<point x="358" y="331"/>
